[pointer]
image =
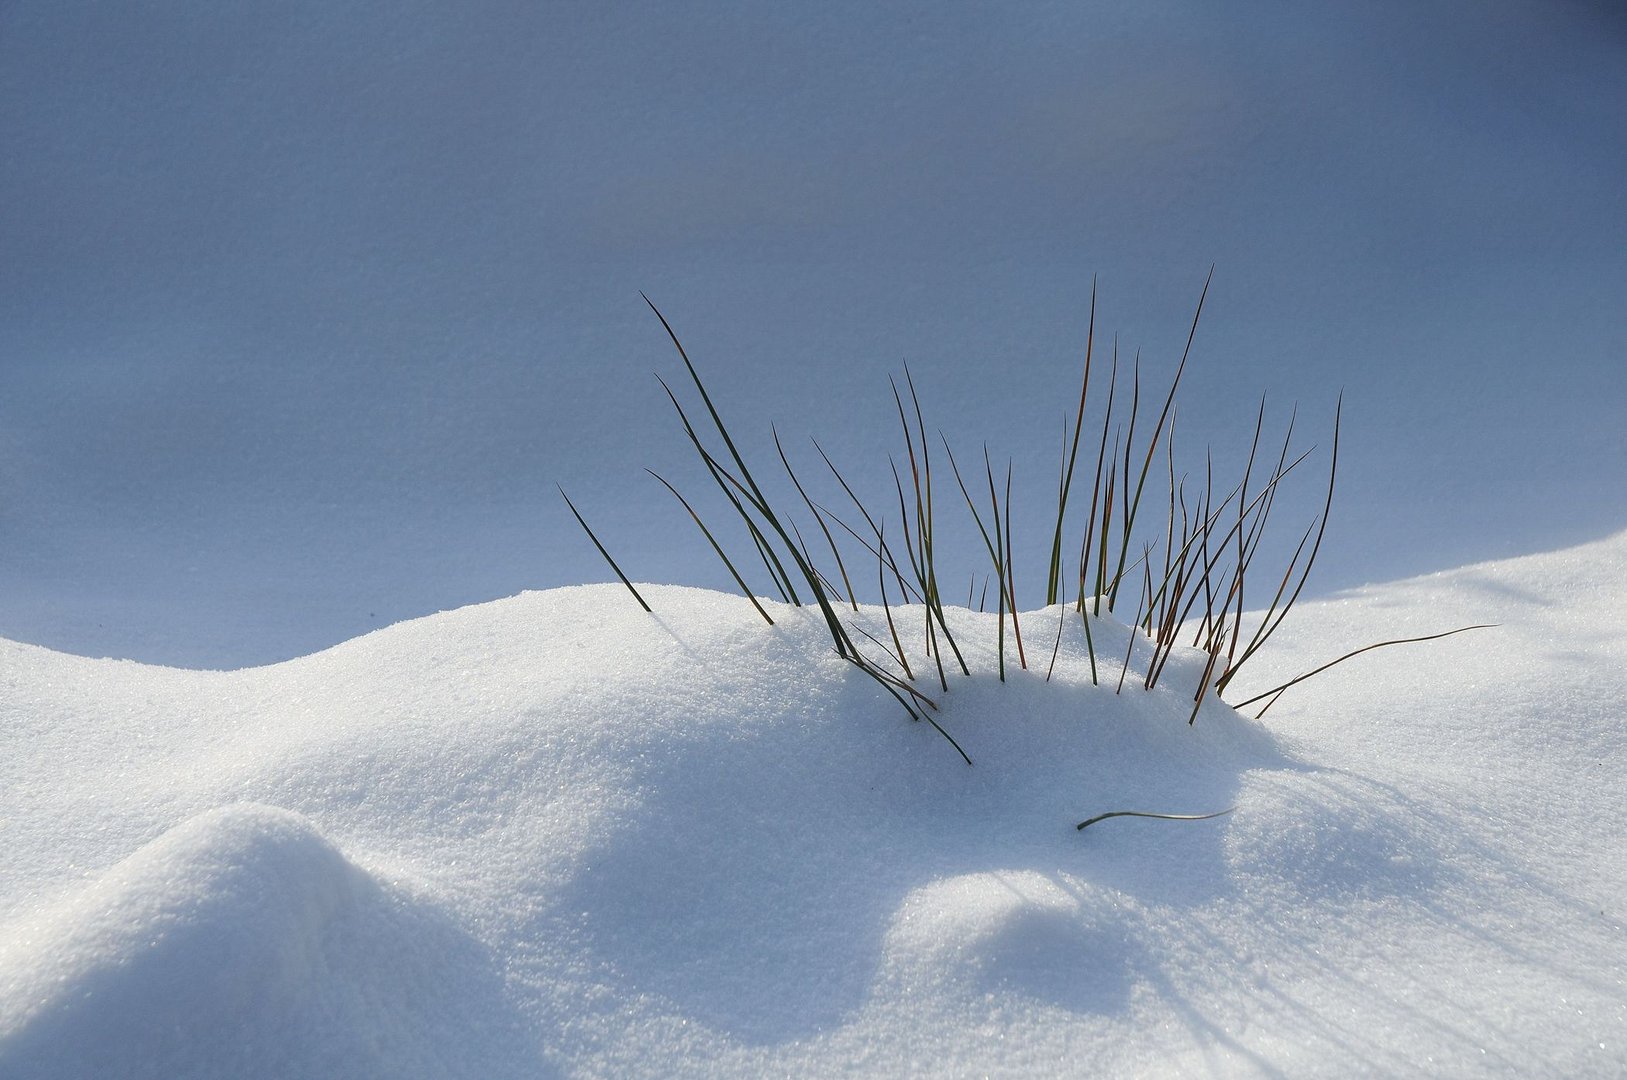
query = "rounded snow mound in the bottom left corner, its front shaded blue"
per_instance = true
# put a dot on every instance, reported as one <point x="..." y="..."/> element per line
<point x="240" y="913"/>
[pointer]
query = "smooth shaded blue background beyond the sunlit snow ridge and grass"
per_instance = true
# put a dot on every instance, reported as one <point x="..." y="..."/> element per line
<point x="307" y="308"/>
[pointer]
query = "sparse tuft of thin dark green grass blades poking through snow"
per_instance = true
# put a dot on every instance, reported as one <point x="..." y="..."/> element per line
<point x="1192" y="577"/>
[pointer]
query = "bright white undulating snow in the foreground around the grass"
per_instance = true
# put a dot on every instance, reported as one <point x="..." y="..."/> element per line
<point x="559" y="837"/>
